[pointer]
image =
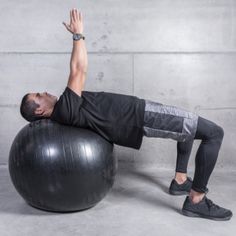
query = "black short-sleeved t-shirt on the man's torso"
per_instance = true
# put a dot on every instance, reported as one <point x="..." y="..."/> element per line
<point x="118" y="118"/>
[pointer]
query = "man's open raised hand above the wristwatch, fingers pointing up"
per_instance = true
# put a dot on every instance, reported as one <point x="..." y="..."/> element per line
<point x="76" y="22"/>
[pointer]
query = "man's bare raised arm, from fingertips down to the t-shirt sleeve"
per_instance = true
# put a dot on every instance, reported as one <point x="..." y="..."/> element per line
<point x="79" y="59"/>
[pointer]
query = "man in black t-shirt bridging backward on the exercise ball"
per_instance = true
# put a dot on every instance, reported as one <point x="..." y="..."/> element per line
<point x="124" y="119"/>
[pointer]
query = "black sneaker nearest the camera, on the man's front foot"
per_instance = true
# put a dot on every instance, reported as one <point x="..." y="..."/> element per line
<point x="205" y="209"/>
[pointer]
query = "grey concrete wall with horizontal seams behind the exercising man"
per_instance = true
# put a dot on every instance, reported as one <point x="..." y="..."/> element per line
<point x="177" y="52"/>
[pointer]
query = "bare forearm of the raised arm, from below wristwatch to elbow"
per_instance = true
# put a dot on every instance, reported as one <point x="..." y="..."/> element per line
<point x="79" y="57"/>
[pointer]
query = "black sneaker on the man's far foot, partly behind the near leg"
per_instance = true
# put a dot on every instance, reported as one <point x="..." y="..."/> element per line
<point x="180" y="189"/>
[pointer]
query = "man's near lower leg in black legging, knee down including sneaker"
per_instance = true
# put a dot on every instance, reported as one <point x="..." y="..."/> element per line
<point x="197" y="204"/>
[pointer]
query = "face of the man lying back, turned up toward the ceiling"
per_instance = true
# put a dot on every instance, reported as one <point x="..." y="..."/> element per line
<point x="45" y="100"/>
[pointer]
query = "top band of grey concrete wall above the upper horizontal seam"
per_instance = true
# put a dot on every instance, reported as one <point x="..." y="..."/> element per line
<point x="134" y="25"/>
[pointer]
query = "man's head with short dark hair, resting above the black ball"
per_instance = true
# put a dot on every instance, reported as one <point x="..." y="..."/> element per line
<point x="35" y="106"/>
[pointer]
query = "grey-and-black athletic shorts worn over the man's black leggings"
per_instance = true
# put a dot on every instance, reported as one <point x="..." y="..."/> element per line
<point x="165" y="121"/>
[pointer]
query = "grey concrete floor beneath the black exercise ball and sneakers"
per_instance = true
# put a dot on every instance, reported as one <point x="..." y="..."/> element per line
<point x="138" y="204"/>
